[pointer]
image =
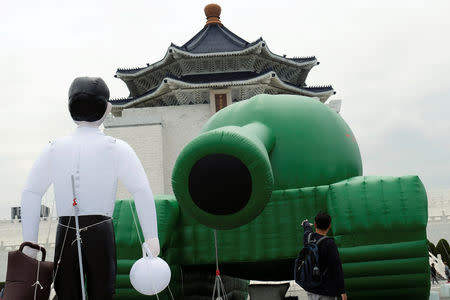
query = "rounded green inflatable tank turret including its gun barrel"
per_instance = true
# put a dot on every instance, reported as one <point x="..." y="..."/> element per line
<point x="225" y="177"/>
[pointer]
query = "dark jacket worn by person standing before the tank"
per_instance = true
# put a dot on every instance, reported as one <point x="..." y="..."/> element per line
<point x="329" y="260"/>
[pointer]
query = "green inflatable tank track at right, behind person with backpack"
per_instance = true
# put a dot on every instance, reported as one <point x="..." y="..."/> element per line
<point x="380" y="229"/>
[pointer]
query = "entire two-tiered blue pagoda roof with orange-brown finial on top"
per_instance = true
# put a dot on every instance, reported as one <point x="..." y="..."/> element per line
<point x="216" y="57"/>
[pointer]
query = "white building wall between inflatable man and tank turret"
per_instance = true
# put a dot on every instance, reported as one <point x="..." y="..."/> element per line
<point x="158" y="134"/>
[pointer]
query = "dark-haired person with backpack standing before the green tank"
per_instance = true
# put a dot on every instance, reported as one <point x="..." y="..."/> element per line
<point x="319" y="268"/>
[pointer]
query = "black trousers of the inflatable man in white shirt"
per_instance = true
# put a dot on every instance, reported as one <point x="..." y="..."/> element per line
<point x="99" y="259"/>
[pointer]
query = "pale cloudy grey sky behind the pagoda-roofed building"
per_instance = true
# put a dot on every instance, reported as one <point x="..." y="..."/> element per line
<point x="388" y="60"/>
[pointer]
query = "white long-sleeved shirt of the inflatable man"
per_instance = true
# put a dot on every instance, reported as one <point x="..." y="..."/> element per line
<point x="97" y="161"/>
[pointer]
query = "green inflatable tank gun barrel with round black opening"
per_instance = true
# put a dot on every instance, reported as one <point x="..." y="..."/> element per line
<point x="223" y="178"/>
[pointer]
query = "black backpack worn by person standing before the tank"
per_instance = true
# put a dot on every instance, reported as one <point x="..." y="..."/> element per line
<point x="306" y="270"/>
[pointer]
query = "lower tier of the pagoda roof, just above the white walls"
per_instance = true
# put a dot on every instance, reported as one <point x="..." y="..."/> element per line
<point x="224" y="81"/>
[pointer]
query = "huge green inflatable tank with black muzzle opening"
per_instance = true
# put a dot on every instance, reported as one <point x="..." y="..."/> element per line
<point x="258" y="169"/>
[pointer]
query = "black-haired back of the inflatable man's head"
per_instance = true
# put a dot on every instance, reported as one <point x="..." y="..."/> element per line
<point x="88" y="99"/>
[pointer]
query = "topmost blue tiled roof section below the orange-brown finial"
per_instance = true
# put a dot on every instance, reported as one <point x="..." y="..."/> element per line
<point x="215" y="38"/>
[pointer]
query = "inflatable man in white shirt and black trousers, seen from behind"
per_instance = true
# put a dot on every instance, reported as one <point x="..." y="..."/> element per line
<point x="95" y="162"/>
